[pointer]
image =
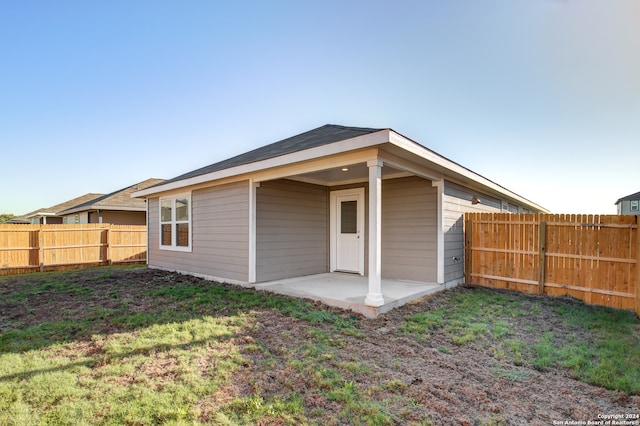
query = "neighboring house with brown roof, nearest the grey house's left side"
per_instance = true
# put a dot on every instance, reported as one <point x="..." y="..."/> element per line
<point x="117" y="207"/>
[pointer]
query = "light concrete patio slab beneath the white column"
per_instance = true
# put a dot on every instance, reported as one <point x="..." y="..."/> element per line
<point x="349" y="291"/>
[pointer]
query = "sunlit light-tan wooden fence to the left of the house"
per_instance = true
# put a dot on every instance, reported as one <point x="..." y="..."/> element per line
<point x="30" y="248"/>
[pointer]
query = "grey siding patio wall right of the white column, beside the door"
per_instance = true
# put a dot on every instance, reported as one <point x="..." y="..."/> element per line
<point x="409" y="229"/>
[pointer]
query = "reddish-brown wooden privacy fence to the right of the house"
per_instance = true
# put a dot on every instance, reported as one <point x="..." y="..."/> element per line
<point x="591" y="257"/>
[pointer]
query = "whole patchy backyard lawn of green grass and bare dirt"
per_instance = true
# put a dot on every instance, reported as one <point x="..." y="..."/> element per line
<point x="135" y="346"/>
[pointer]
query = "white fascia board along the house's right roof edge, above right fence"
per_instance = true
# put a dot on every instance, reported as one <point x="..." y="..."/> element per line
<point x="456" y="169"/>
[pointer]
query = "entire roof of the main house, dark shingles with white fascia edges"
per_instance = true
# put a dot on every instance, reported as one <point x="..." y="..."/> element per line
<point x="324" y="141"/>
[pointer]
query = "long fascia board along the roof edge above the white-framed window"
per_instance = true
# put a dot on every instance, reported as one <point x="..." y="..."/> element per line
<point x="358" y="142"/>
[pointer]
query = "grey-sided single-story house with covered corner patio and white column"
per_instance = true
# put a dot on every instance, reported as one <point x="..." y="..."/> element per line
<point x="335" y="201"/>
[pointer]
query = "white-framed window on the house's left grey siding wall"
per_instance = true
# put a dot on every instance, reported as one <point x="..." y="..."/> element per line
<point x="175" y="223"/>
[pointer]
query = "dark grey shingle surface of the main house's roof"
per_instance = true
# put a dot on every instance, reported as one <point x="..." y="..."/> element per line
<point x="327" y="134"/>
